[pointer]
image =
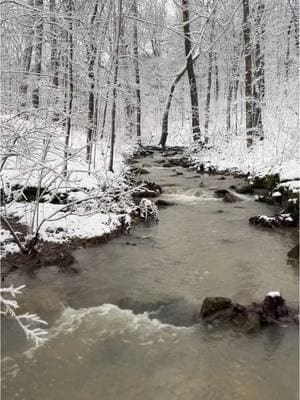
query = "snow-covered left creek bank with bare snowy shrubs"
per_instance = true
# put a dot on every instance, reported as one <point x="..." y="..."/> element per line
<point x="88" y="202"/>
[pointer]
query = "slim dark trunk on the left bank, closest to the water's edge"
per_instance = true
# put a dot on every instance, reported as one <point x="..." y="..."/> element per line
<point x="114" y="94"/>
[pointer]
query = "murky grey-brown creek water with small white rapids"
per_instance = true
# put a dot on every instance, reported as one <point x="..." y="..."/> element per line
<point x="123" y="327"/>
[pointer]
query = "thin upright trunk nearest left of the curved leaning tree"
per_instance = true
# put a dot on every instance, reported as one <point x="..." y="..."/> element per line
<point x="137" y="76"/>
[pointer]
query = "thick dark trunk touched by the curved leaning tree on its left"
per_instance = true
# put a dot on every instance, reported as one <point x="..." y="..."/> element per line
<point x="190" y="70"/>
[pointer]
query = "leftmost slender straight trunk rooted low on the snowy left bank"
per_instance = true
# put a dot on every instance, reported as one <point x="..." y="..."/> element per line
<point x="71" y="86"/>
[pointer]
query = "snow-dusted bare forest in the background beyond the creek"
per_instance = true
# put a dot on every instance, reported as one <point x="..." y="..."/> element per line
<point x="60" y="62"/>
